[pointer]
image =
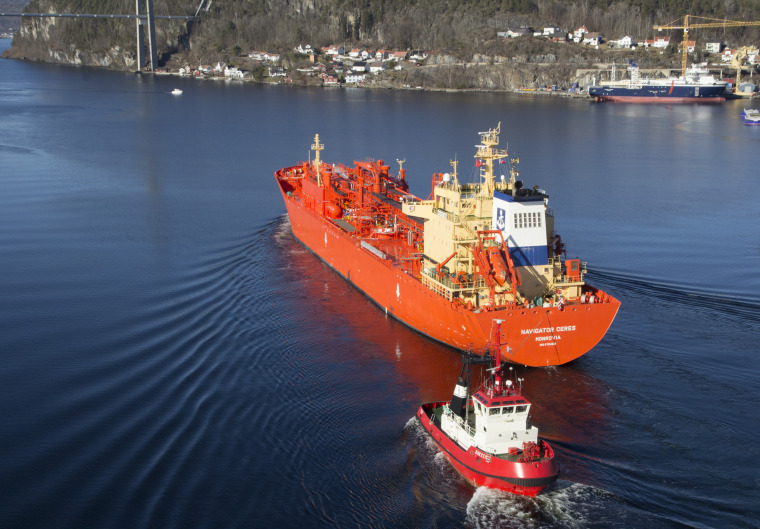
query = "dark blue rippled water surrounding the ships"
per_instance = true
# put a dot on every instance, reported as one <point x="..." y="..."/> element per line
<point x="172" y="358"/>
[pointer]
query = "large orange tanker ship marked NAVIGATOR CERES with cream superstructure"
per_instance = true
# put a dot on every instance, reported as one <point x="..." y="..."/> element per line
<point x="450" y="265"/>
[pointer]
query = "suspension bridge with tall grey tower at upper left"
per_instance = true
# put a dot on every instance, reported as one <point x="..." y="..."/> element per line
<point x="145" y="18"/>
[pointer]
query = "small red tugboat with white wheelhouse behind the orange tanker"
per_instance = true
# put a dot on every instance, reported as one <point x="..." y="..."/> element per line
<point x="487" y="437"/>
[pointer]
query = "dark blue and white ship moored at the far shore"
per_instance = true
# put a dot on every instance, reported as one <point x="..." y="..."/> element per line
<point x="696" y="86"/>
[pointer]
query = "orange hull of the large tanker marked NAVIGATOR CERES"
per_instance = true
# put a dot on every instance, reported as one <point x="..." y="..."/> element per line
<point x="540" y="336"/>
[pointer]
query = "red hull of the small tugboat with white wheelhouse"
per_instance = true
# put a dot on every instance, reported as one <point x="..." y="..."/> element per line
<point x="486" y="470"/>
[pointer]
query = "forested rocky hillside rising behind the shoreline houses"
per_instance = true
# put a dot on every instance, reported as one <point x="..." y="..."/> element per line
<point x="458" y="28"/>
